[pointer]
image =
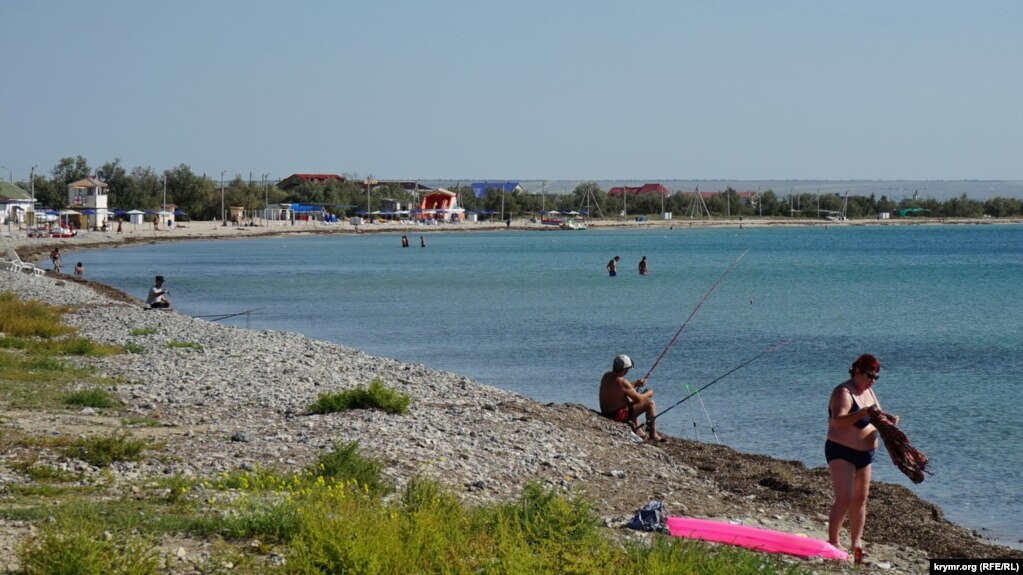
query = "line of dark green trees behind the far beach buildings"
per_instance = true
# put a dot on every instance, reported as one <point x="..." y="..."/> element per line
<point x="202" y="197"/>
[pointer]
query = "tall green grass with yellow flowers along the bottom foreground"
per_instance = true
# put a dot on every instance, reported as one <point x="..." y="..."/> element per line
<point x="325" y="526"/>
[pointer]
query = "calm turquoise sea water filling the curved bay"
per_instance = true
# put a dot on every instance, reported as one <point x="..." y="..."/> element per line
<point x="537" y="314"/>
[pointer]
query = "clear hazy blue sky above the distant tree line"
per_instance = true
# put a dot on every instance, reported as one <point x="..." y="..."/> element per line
<point x="541" y="90"/>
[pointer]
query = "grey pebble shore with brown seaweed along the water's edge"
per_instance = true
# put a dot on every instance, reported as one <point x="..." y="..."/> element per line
<point x="237" y="399"/>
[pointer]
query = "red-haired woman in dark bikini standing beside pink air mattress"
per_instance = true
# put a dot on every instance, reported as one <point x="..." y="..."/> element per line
<point x="850" y="450"/>
